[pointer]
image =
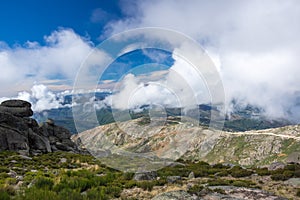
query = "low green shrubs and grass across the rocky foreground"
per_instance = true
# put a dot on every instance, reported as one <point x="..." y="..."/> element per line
<point x="63" y="175"/>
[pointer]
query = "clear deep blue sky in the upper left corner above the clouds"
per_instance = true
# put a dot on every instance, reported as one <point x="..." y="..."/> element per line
<point x="31" y="20"/>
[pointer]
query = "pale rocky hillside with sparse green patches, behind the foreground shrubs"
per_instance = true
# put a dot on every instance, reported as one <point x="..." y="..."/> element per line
<point x="178" y="139"/>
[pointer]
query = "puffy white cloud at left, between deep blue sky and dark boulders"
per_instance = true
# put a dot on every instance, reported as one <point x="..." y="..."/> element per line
<point x="60" y="58"/>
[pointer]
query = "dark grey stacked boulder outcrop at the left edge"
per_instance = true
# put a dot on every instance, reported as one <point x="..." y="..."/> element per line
<point x="19" y="132"/>
